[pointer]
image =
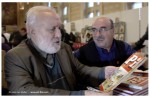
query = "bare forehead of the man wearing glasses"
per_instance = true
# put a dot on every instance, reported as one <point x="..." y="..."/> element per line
<point x="101" y="22"/>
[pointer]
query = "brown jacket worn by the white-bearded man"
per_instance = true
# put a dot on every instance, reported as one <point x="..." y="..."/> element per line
<point x="26" y="73"/>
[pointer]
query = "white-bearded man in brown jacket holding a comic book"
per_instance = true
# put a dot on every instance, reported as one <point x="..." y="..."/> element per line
<point x="43" y="65"/>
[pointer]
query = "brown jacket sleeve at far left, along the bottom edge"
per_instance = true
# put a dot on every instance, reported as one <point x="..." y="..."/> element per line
<point x="21" y="81"/>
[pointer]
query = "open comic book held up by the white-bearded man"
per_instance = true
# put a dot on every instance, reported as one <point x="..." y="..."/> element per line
<point x="123" y="72"/>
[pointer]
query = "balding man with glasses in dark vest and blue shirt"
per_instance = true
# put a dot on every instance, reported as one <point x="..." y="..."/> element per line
<point x="104" y="50"/>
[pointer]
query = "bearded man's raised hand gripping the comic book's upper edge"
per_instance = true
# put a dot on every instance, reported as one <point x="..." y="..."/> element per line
<point x="109" y="70"/>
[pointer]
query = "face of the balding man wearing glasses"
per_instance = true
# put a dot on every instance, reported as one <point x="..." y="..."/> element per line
<point x="103" y="35"/>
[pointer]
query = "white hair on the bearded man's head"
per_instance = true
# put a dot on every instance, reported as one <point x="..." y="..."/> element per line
<point x="33" y="13"/>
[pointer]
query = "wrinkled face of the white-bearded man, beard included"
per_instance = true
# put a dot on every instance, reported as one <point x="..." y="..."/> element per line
<point x="46" y="33"/>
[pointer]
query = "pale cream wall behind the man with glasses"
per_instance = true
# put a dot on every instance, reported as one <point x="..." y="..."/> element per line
<point x="135" y="27"/>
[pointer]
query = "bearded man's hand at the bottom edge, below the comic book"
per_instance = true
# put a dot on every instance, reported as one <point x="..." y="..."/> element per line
<point x="92" y="93"/>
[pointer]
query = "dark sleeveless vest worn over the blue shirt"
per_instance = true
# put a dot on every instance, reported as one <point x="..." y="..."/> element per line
<point x="89" y="55"/>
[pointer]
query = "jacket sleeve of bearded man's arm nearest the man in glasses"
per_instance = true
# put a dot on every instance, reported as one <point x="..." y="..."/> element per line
<point x="91" y="76"/>
